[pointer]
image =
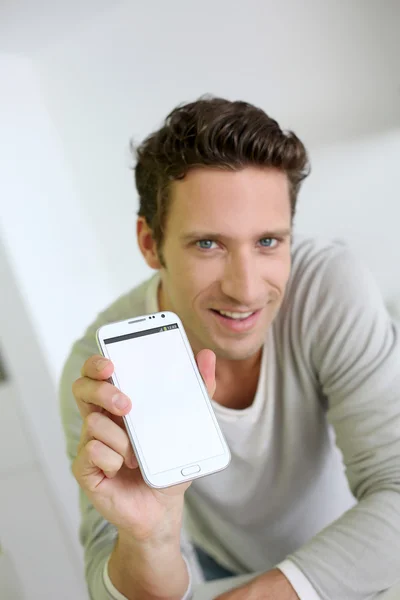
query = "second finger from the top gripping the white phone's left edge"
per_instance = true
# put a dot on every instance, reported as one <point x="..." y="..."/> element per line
<point x="93" y="395"/>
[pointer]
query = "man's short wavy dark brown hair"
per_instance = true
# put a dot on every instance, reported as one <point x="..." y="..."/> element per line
<point x="217" y="133"/>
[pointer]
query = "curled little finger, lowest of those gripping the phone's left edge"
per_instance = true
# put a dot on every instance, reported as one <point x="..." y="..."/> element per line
<point x="94" y="462"/>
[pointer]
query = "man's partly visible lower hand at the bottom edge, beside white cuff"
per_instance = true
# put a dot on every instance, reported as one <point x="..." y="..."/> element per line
<point x="269" y="586"/>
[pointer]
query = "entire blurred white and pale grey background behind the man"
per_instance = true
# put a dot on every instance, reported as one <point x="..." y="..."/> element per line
<point x="78" y="80"/>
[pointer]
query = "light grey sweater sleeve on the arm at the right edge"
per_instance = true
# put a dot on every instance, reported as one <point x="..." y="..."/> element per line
<point x="355" y="353"/>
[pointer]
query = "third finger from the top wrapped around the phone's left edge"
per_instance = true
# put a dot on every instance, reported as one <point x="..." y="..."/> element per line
<point x="98" y="426"/>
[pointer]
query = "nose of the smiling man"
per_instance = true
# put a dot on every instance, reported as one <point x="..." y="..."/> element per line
<point x="242" y="282"/>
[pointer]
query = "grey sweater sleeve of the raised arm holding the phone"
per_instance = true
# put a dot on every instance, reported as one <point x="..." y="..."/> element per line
<point x="97" y="535"/>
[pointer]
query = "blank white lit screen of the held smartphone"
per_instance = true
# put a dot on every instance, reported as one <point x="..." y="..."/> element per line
<point x="171" y="419"/>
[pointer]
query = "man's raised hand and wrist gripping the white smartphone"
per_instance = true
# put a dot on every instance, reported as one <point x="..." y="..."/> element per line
<point x="146" y="561"/>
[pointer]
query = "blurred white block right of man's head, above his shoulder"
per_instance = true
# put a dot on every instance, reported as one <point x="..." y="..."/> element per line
<point x="353" y="193"/>
